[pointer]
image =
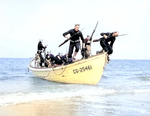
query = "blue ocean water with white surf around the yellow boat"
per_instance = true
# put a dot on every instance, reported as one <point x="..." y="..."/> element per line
<point x="124" y="89"/>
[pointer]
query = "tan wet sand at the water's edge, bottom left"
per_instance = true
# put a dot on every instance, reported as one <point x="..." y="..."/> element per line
<point x="57" y="107"/>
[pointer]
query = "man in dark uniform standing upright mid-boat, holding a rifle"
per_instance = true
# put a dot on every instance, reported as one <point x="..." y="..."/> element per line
<point x="76" y="35"/>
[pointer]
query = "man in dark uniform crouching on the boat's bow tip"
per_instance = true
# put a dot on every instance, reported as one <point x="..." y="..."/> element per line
<point x="108" y="37"/>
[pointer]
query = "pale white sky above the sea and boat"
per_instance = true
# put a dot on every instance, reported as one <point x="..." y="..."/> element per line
<point x="24" y="22"/>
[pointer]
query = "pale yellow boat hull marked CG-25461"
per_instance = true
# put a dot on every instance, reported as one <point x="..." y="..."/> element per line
<point x="86" y="71"/>
